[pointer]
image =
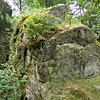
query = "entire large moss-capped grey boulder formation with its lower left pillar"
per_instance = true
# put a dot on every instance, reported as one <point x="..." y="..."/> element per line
<point x="45" y="53"/>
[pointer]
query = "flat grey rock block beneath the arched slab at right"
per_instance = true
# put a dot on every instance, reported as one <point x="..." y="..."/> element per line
<point x="73" y="60"/>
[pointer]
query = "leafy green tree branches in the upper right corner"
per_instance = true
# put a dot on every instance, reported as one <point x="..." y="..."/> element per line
<point x="91" y="14"/>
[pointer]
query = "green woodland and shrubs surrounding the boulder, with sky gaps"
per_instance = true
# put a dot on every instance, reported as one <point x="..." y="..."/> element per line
<point x="78" y="11"/>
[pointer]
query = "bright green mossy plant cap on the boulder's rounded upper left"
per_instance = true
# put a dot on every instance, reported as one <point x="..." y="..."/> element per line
<point x="36" y="27"/>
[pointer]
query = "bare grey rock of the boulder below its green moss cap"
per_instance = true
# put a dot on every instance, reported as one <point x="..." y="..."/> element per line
<point x="71" y="53"/>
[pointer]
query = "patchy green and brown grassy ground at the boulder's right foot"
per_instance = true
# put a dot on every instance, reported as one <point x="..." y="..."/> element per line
<point x="75" y="89"/>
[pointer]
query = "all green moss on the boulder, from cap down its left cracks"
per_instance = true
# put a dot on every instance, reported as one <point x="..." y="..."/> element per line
<point x="38" y="28"/>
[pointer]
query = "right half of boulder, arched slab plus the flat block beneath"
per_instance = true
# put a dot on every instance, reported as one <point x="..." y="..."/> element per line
<point x="72" y="56"/>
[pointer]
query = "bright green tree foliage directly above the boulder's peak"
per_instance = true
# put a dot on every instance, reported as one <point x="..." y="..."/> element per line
<point x="44" y="3"/>
